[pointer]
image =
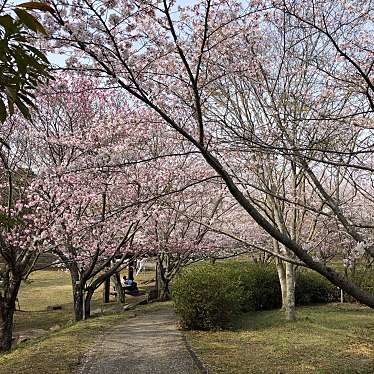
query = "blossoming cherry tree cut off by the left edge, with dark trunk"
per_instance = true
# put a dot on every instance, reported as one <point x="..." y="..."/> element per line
<point x="23" y="223"/>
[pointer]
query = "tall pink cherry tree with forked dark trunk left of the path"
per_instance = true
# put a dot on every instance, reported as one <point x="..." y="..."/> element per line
<point x="94" y="209"/>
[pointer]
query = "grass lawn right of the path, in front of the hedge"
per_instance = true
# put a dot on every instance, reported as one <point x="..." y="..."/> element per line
<point x="334" y="338"/>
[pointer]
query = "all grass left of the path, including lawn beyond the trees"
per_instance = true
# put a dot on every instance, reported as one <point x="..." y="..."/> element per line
<point x="59" y="351"/>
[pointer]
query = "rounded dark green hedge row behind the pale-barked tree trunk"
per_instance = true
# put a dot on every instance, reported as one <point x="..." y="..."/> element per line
<point x="207" y="296"/>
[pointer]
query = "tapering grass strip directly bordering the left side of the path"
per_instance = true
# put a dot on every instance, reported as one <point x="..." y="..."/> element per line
<point x="61" y="351"/>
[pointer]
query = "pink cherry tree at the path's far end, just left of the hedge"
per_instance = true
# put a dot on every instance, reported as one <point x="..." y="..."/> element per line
<point x="179" y="229"/>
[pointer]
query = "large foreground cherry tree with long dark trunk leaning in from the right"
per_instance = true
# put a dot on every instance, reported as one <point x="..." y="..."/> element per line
<point x="172" y="59"/>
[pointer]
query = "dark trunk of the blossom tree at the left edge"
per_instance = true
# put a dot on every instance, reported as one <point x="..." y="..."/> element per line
<point x="7" y="308"/>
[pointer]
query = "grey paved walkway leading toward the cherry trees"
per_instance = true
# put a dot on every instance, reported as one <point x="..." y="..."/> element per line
<point x="145" y="344"/>
